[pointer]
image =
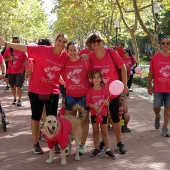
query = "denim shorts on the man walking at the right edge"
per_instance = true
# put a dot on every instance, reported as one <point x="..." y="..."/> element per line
<point x="161" y="99"/>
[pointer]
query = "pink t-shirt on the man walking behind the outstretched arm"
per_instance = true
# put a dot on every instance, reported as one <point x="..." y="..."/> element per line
<point x="17" y="65"/>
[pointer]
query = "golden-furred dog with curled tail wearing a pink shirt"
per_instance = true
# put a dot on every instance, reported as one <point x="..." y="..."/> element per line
<point x="61" y="130"/>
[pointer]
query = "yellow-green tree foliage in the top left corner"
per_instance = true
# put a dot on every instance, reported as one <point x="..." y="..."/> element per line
<point x="25" y="19"/>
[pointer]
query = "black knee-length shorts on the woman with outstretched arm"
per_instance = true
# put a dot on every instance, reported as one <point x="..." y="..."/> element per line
<point x="37" y="105"/>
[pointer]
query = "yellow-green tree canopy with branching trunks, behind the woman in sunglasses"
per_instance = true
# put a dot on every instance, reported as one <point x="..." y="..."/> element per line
<point x="79" y="18"/>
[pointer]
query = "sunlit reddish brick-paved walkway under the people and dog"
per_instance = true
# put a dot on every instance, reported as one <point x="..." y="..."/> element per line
<point x="146" y="148"/>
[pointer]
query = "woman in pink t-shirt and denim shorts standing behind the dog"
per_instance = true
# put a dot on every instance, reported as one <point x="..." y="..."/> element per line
<point x="75" y="75"/>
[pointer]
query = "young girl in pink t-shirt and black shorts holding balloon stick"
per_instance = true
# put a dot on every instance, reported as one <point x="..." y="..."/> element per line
<point x="96" y="99"/>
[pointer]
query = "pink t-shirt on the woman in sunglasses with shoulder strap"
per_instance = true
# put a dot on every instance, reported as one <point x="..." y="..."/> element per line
<point x="107" y="66"/>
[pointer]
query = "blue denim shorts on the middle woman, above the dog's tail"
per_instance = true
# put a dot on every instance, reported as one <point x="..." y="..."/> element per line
<point x="71" y="101"/>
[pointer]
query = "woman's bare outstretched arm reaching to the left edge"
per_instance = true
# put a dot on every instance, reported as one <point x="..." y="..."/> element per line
<point x="15" y="46"/>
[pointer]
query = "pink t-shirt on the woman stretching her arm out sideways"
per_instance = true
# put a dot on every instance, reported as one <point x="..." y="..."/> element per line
<point x="47" y="69"/>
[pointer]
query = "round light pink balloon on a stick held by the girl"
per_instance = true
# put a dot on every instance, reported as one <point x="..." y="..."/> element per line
<point x="116" y="87"/>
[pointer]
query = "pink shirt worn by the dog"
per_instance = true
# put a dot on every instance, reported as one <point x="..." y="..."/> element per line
<point x="62" y="136"/>
